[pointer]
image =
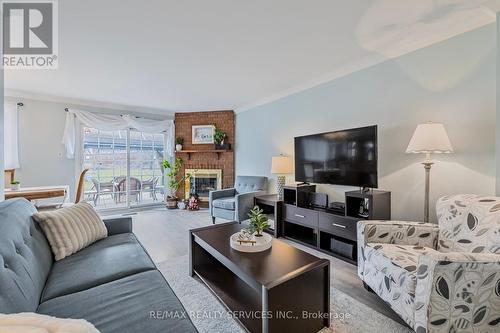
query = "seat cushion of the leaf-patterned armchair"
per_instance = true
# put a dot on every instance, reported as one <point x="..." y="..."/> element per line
<point x="397" y="262"/>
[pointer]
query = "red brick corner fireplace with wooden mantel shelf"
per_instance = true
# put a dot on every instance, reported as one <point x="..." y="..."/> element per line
<point x="203" y="156"/>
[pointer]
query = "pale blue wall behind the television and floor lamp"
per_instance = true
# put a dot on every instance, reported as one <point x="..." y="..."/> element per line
<point x="452" y="82"/>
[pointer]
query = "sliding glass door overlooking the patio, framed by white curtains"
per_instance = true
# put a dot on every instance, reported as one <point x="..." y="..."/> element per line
<point x="125" y="168"/>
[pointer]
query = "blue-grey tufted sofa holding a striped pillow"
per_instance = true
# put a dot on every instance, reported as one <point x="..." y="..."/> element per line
<point x="113" y="283"/>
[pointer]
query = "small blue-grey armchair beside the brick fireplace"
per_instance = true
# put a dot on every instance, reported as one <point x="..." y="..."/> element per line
<point x="235" y="203"/>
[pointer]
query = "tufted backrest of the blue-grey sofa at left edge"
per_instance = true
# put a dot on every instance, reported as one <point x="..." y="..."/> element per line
<point x="25" y="257"/>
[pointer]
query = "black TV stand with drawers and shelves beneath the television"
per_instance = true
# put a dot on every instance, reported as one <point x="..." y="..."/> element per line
<point x="331" y="231"/>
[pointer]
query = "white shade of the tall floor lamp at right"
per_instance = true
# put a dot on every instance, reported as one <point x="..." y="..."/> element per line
<point x="430" y="138"/>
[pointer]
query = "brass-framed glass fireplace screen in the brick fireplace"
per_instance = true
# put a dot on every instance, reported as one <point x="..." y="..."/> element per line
<point x="202" y="181"/>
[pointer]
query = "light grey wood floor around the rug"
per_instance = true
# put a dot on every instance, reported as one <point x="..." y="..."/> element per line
<point x="165" y="234"/>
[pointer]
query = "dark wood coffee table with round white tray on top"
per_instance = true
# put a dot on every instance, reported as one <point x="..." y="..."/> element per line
<point x="283" y="289"/>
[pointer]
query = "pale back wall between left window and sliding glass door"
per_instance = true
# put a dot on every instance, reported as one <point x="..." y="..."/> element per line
<point x="41" y="153"/>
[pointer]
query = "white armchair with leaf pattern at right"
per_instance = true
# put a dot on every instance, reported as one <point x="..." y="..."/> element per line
<point x="442" y="278"/>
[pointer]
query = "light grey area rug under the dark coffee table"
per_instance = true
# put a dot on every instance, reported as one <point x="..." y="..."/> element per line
<point x="210" y="316"/>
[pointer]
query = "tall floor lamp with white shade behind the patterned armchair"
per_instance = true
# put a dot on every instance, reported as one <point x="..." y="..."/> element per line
<point x="429" y="138"/>
